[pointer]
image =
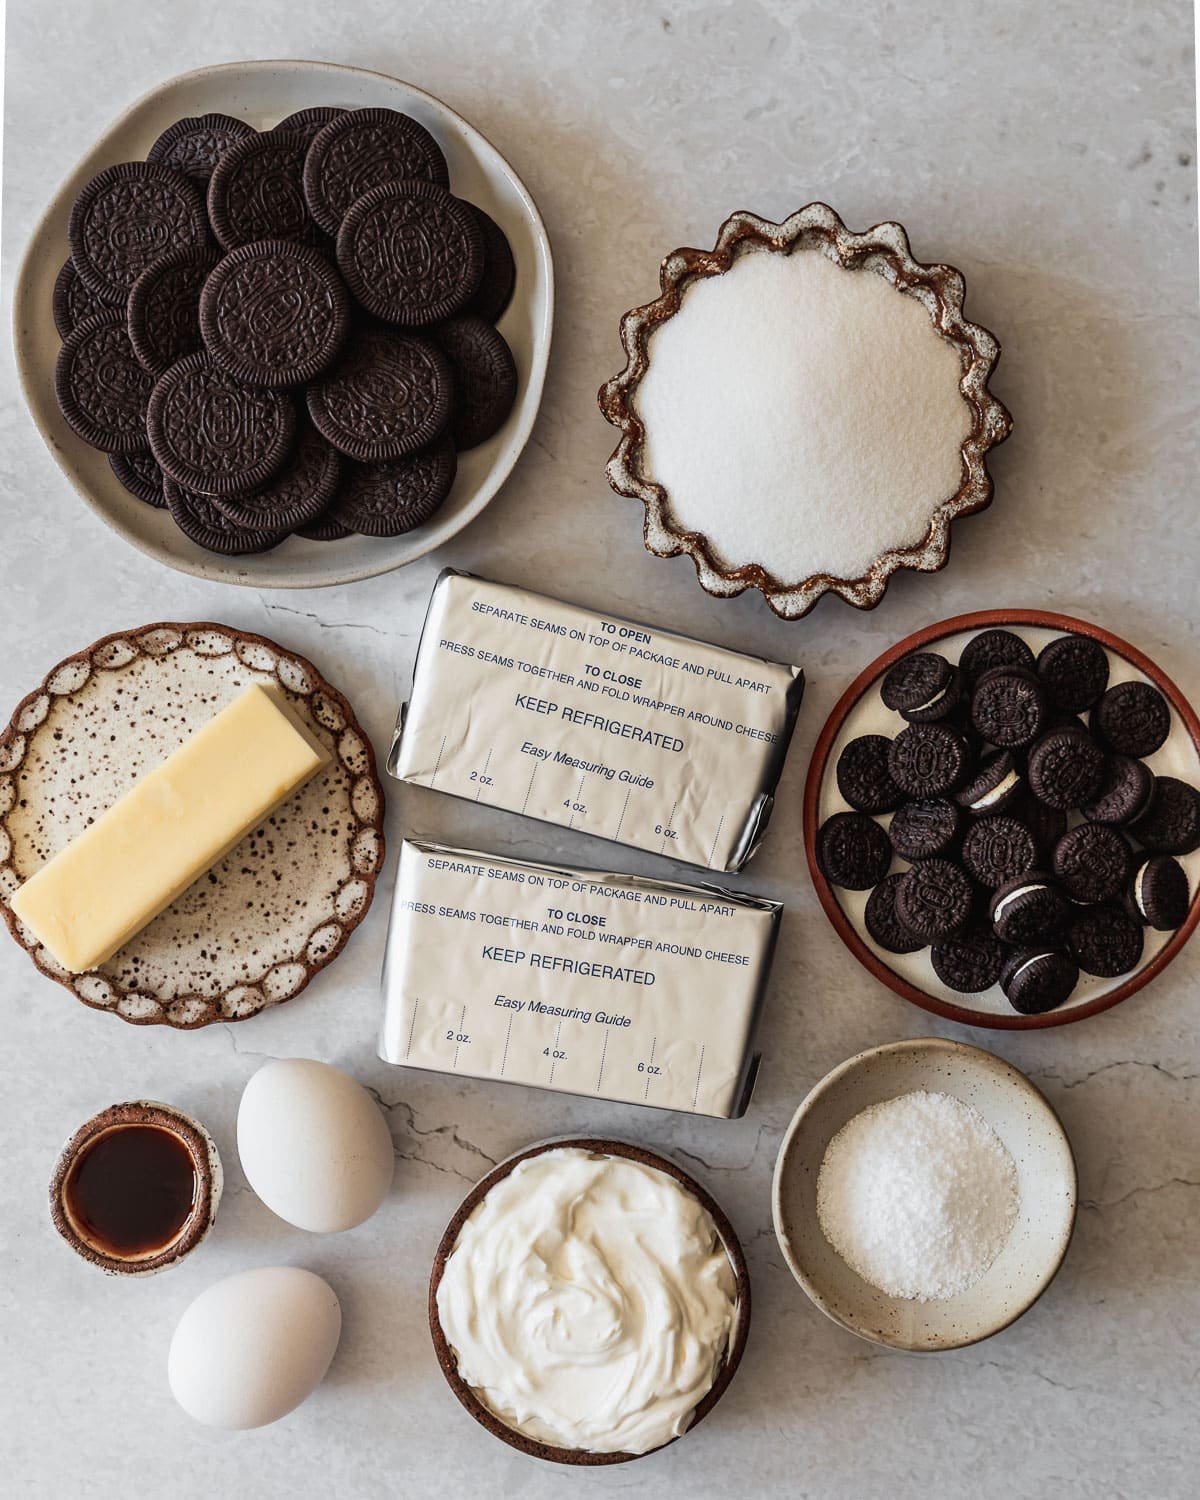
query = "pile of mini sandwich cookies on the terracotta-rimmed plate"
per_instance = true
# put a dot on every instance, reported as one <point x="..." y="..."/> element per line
<point x="1040" y="845"/>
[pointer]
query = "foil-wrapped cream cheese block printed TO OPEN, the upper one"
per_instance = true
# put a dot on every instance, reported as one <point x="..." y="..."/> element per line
<point x="587" y="721"/>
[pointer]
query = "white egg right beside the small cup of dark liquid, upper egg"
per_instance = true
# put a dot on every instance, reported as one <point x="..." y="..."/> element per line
<point x="314" y="1145"/>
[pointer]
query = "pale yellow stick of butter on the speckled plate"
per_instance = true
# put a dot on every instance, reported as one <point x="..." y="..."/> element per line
<point x="173" y="826"/>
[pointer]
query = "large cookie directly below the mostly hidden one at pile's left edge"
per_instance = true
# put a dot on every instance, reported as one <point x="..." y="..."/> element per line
<point x="101" y="388"/>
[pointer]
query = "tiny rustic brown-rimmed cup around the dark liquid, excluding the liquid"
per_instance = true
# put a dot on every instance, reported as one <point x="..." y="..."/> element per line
<point x="209" y="1183"/>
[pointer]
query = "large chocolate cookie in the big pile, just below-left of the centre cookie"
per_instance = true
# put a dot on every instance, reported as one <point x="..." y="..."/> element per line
<point x="214" y="436"/>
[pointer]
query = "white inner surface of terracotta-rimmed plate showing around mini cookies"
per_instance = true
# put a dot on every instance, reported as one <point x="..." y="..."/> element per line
<point x="869" y="716"/>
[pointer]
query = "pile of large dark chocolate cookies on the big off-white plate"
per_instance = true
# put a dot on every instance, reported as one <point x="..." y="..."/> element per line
<point x="289" y="331"/>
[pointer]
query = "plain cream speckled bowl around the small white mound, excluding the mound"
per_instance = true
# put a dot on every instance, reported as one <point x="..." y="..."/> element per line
<point x="1046" y="1183"/>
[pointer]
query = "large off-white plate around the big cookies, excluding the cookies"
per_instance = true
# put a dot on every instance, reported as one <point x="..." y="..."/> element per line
<point x="263" y="94"/>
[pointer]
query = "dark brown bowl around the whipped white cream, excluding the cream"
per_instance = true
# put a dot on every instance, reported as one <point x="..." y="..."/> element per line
<point x="605" y="1148"/>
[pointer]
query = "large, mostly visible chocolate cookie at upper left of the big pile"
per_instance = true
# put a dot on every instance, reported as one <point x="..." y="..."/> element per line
<point x="125" y="218"/>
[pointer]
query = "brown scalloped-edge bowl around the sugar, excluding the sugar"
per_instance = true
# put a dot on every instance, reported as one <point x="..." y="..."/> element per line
<point x="884" y="251"/>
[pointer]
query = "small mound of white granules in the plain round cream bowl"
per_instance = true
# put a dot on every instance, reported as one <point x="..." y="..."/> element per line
<point x="919" y="1196"/>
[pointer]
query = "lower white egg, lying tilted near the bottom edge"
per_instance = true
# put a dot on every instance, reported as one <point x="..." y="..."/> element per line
<point x="254" y="1346"/>
